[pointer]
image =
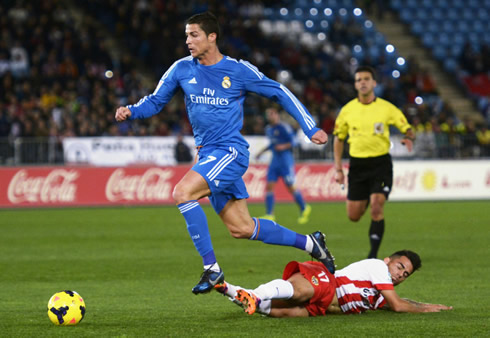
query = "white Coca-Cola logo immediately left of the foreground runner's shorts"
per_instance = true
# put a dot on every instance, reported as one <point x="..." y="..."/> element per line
<point x="152" y="185"/>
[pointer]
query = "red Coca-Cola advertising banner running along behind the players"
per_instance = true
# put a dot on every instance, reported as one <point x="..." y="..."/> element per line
<point x="84" y="186"/>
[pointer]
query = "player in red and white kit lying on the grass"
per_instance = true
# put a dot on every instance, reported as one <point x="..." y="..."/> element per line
<point x="309" y="289"/>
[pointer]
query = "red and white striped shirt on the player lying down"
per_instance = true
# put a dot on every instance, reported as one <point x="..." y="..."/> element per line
<point x="359" y="285"/>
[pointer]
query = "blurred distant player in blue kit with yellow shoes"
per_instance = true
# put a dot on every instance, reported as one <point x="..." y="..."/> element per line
<point x="282" y="139"/>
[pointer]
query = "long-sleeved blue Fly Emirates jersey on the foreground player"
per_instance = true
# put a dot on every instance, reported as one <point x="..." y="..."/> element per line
<point x="214" y="98"/>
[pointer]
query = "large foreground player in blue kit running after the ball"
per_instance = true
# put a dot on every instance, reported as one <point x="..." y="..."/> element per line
<point x="214" y="87"/>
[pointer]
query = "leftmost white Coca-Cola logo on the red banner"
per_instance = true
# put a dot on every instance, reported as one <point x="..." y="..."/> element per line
<point x="57" y="186"/>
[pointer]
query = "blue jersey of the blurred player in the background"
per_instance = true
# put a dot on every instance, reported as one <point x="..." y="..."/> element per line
<point x="280" y="133"/>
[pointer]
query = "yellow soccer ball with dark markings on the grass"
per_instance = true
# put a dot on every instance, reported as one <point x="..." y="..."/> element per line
<point x="66" y="308"/>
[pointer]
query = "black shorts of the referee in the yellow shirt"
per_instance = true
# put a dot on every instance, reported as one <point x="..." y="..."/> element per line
<point x="368" y="176"/>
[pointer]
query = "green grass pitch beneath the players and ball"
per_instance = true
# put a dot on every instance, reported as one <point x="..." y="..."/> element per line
<point x="135" y="268"/>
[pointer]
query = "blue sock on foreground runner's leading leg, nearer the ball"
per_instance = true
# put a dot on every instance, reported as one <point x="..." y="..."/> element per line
<point x="197" y="226"/>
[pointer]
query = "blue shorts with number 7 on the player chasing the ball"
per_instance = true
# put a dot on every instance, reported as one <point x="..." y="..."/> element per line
<point x="223" y="169"/>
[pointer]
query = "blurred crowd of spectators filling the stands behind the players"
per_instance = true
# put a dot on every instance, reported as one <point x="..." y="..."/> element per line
<point x="64" y="70"/>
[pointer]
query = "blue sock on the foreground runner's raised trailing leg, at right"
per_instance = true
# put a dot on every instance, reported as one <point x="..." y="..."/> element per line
<point x="272" y="233"/>
